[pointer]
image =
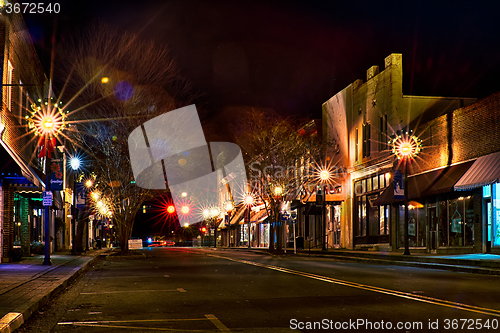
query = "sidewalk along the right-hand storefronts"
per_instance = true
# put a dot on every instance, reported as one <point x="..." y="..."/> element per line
<point x="479" y="263"/>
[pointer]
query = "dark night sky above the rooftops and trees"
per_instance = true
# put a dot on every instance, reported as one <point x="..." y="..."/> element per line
<point x="294" y="55"/>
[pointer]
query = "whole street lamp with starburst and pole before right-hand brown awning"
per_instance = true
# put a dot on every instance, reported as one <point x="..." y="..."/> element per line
<point x="406" y="147"/>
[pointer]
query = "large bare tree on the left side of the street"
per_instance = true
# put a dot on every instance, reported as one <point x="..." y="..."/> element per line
<point x="114" y="82"/>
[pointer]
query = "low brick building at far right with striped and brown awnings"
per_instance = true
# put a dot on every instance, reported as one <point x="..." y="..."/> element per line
<point x="454" y="184"/>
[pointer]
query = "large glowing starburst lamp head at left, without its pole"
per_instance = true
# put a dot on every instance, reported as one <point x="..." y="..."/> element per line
<point x="47" y="119"/>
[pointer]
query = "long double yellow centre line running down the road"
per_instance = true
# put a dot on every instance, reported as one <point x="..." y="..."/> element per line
<point x="402" y="294"/>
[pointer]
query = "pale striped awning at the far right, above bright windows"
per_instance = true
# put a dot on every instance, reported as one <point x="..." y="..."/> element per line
<point x="484" y="171"/>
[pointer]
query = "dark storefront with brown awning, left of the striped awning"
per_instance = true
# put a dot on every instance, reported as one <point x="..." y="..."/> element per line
<point x="440" y="219"/>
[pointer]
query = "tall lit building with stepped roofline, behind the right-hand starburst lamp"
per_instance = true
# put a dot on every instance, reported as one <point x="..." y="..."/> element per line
<point x="361" y="118"/>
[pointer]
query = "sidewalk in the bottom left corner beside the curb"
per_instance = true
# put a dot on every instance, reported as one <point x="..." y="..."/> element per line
<point x="27" y="285"/>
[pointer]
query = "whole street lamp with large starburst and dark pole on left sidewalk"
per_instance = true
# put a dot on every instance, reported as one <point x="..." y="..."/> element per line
<point x="46" y="121"/>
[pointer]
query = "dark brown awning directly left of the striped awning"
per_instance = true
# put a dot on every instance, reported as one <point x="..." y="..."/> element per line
<point x="427" y="183"/>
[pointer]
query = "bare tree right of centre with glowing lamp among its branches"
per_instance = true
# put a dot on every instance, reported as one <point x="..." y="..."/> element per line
<point x="278" y="156"/>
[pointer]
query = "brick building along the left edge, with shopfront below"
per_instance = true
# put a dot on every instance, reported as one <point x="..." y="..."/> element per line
<point x="21" y="181"/>
